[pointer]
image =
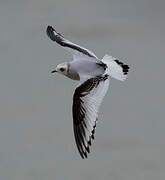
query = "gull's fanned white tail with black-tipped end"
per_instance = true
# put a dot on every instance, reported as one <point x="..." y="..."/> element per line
<point x="116" y="69"/>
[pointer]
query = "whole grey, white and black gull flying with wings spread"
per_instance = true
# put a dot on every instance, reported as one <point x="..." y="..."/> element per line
<point x="93" y="75"/>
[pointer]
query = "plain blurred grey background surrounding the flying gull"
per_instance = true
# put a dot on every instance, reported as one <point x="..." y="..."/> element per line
<point x="36" y="136"/>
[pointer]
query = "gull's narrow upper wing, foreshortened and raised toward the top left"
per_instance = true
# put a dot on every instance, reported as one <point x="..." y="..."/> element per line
<point x="74" y="49"/>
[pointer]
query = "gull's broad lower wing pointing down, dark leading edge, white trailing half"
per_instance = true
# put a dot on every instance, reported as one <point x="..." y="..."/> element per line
<point x="86" y="101"/>
